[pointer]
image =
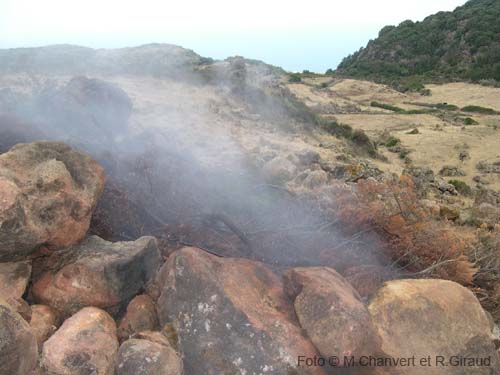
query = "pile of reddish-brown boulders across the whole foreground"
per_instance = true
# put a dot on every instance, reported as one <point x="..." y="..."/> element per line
<point x="71" y="304"/>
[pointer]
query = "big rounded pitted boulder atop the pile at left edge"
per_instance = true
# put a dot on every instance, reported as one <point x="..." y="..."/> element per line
<point x="48" y="192"/>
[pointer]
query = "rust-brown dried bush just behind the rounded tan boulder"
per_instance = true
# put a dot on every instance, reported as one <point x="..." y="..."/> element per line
<point x="414" y="239"/>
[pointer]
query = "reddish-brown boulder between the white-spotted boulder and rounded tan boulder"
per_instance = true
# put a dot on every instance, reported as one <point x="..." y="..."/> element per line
<point x="330" y="311"/>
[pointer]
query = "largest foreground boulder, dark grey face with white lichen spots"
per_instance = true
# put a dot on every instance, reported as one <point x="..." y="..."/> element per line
<point x="231" y="315"/>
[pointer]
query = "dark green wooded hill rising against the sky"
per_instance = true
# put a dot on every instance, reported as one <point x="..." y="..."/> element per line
<point x="463" y="44"/>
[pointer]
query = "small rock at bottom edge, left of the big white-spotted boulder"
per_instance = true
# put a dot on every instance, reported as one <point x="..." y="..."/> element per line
<point x="144" y="357"/>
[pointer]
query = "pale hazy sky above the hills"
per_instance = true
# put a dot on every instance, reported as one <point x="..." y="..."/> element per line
<point x="297" y="35"/>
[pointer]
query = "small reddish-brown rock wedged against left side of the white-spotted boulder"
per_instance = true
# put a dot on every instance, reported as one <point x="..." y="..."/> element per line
<point x="140" y="316"/>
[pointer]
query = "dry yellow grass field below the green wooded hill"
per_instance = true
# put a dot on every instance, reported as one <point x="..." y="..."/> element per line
<point x="438" y="143"/>
